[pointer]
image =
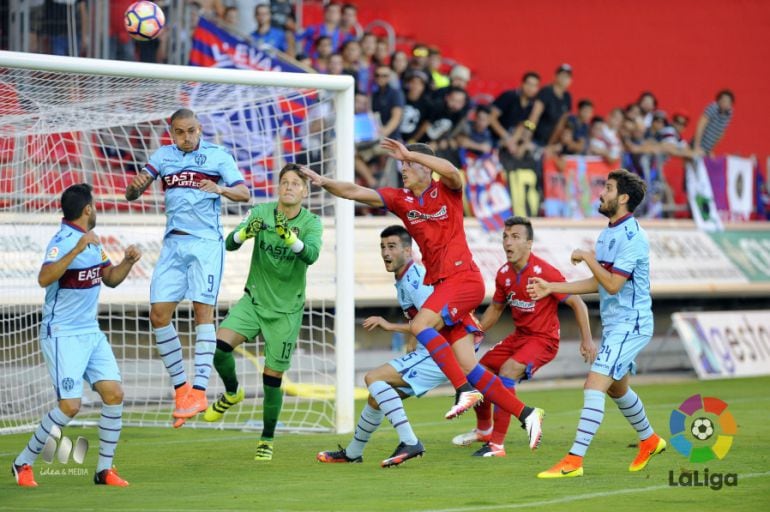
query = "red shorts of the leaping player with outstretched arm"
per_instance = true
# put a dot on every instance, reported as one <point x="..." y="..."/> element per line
<point x="456" y="296"/>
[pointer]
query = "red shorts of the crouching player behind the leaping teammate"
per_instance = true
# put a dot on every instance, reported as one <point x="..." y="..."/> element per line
<point x="532" y="351"/>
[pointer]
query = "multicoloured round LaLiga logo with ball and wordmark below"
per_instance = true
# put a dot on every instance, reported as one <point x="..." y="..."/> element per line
<point x="693" y="426"/>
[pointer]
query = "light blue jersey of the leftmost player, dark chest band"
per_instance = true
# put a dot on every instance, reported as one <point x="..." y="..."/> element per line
<point x="71" y="303"/>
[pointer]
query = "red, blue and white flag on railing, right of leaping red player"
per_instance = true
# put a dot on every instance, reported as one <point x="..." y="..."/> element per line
<point x="487" y="191"/>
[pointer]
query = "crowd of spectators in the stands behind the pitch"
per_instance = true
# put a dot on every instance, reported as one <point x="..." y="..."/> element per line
<point x="413" y="93"/>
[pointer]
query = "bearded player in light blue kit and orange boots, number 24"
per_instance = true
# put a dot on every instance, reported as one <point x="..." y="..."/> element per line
<point x="621" y="274"/>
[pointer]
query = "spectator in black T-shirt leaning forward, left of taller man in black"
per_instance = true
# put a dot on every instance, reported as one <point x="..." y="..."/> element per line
<point x="512" y="108"/>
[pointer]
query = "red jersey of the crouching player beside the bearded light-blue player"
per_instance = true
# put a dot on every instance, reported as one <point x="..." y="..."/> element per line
<point x="532" y="317"/>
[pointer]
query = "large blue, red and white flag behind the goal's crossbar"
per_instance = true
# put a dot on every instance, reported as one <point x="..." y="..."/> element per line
<point x="250" y="132"/>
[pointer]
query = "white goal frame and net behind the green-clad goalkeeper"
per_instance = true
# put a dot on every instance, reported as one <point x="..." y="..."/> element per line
<point x="67" y="120"/>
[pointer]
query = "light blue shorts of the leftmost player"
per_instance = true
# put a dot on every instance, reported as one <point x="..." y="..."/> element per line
<point x="71" y="359"/>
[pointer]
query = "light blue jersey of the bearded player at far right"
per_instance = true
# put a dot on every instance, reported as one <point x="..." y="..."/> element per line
<point x="623" y="248"/>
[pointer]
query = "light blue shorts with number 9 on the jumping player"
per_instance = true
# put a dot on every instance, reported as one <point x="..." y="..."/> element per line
<point x="188" y="268"/>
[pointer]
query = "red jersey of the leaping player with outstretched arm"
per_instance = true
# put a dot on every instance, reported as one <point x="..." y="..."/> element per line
<point x="435" y="221"/>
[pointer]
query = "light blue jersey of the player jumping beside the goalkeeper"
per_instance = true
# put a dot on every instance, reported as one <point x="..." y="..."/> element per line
<point x="187" y="208"/>
